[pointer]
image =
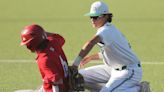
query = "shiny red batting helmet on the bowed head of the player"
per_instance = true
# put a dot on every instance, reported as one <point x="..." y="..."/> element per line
<point x="32" y="36"/>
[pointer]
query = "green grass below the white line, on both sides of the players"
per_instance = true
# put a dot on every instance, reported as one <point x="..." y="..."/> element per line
<point x="25" y="75"/>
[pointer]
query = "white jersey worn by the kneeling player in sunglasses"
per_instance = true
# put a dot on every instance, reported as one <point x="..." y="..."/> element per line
<point x="115" y="49"/>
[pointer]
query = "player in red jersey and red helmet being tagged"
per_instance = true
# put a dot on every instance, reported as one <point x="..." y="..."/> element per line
<point x="51" y="59"/>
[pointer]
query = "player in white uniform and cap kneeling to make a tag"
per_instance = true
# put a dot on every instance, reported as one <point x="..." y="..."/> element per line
<point x="121" y="71"/>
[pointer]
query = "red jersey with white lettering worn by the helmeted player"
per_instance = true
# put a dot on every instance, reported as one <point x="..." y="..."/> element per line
<point x="53" y="64"/>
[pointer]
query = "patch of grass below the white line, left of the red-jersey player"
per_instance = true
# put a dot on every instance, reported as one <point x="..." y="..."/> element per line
<point x="18" y="75"/>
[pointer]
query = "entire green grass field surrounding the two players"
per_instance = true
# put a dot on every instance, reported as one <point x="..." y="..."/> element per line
<point x="141" y="21"/>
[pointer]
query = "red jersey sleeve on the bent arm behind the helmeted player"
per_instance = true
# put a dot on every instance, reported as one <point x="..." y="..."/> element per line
<point x="58" y="38"/>
